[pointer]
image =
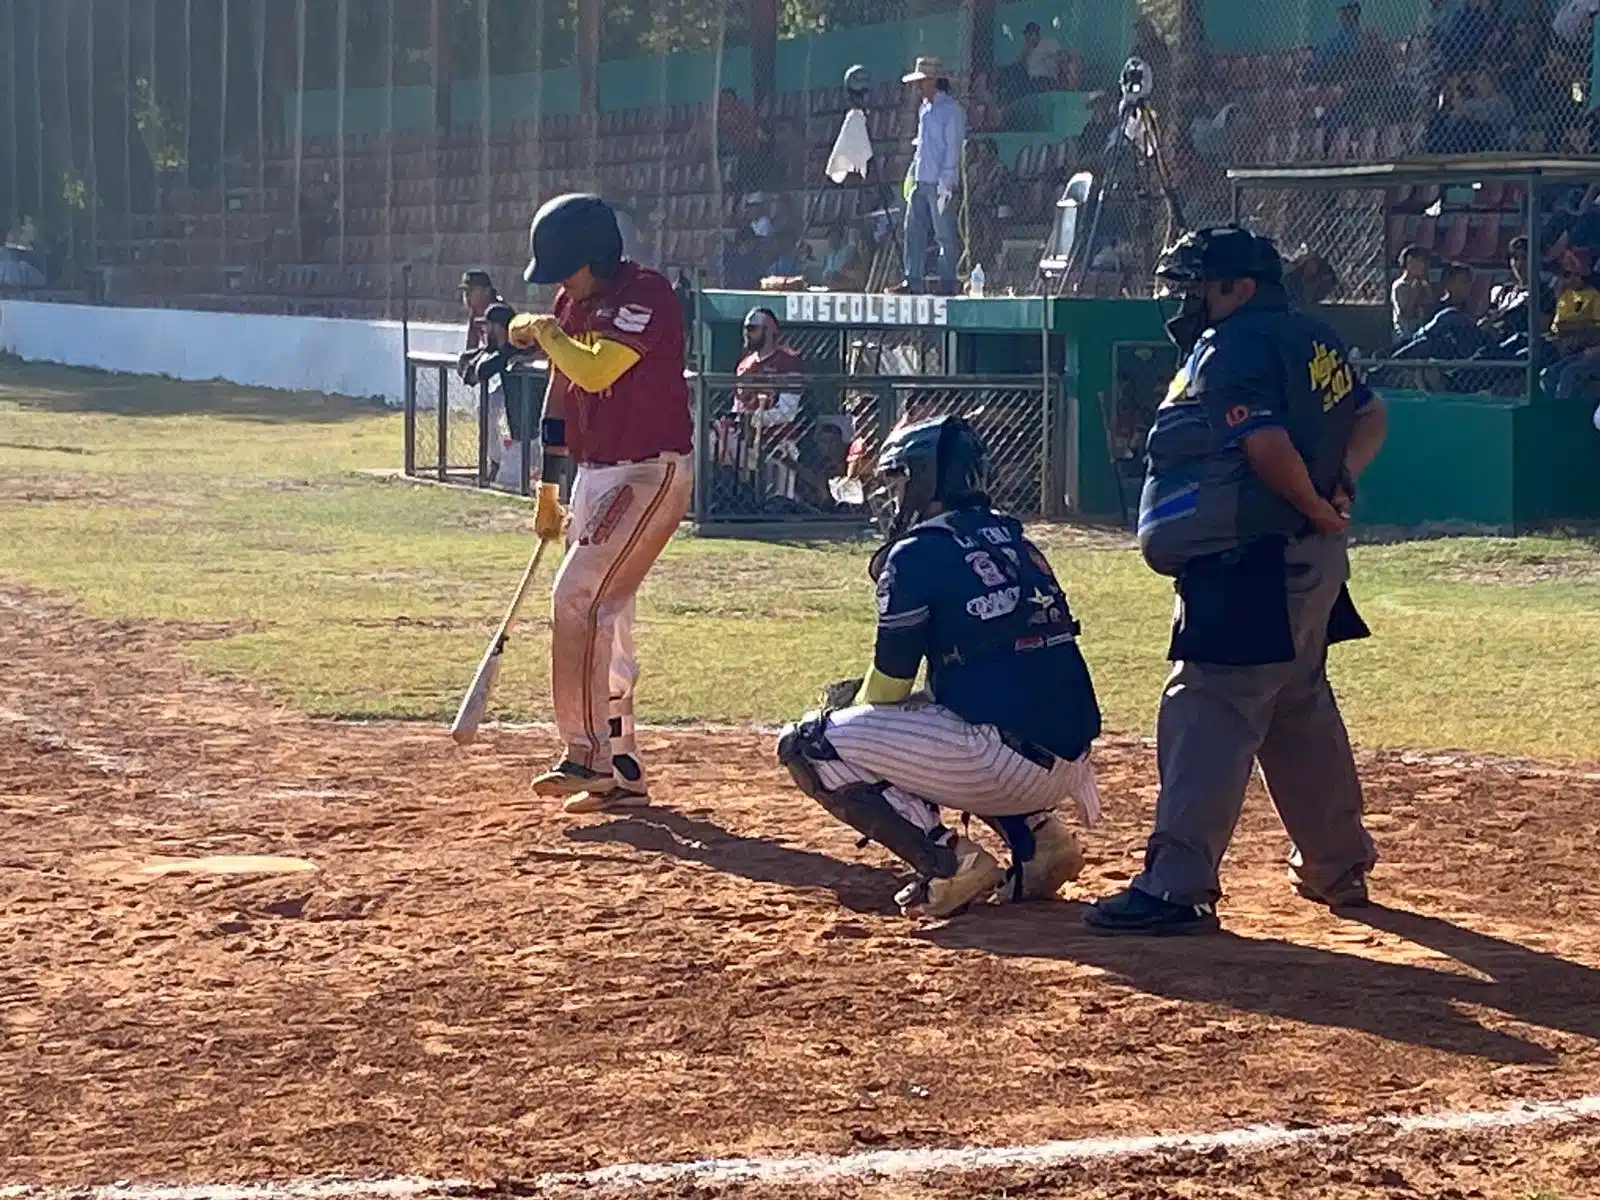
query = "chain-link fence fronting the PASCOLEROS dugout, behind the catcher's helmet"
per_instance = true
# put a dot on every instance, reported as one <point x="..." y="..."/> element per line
<point x="799" y="447"/>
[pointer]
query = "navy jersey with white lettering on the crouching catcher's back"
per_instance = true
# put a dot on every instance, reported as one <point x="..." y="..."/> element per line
<point x="969" y="594"/>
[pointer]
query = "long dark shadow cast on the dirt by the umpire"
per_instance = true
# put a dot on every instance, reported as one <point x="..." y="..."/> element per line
<point x="1401" y="1002"/>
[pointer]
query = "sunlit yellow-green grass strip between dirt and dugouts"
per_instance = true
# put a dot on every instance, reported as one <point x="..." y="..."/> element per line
<point x="241" y="513"/>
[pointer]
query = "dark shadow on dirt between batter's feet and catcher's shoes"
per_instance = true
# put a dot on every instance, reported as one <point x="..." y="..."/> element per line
<point x="660" y="831"/>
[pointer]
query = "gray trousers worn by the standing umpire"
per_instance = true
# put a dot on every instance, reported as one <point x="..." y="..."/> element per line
<point x="1215" y="722"/>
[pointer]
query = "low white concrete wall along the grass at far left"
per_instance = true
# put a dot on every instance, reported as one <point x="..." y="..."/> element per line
<point x="311" y="354"/>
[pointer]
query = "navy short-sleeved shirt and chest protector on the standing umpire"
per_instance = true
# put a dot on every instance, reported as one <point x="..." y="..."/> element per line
<point x="1266" y="366"/>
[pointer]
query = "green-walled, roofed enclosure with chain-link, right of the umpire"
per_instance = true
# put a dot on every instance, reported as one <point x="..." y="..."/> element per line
<point x="1470" y="441"/>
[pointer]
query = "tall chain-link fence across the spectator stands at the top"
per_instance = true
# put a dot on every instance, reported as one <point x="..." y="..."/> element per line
<point x="290" y="156"/>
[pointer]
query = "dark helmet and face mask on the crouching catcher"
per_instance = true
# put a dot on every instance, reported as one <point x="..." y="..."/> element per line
<point x="932" y="462"/>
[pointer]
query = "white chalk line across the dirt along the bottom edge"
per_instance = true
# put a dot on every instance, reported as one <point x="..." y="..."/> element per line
<point x="822" y="1169"/>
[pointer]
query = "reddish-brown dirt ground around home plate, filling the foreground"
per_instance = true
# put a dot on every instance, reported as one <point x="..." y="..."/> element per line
<point x="473" y="985"/>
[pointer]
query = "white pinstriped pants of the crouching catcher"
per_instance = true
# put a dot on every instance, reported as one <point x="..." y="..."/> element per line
<point x="932" y="759"/>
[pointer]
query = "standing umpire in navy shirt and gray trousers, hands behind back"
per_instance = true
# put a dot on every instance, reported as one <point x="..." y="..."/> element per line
<point x="1252" y="471"/>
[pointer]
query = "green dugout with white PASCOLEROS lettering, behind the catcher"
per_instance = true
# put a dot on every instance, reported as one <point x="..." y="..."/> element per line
<point x="1057" y="386"/>
